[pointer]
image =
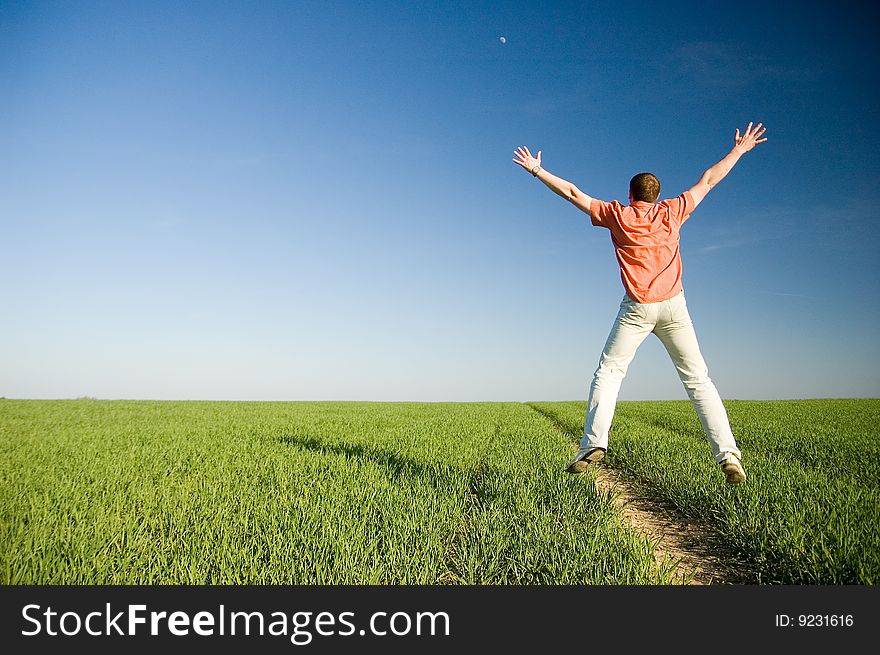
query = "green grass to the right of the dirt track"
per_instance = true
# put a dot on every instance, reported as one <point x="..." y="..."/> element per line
<point x="809" y="512"/>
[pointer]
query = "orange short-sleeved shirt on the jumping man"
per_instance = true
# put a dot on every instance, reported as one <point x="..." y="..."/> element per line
<point x="645" y="237"/>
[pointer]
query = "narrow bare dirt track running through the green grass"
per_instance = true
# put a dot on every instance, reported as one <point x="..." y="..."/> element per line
<point x="690" y="548"/>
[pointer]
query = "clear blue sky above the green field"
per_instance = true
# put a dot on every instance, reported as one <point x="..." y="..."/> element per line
<point x="302" y="200"/>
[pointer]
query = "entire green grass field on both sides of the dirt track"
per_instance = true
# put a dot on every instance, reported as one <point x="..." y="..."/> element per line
<point x="142" y="492"/>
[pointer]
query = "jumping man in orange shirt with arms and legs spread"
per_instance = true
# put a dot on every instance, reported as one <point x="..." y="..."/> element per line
<point x="645" y="235"/>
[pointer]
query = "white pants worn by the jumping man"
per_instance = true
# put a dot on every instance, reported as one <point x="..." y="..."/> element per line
<point x="670" y="321"/>
